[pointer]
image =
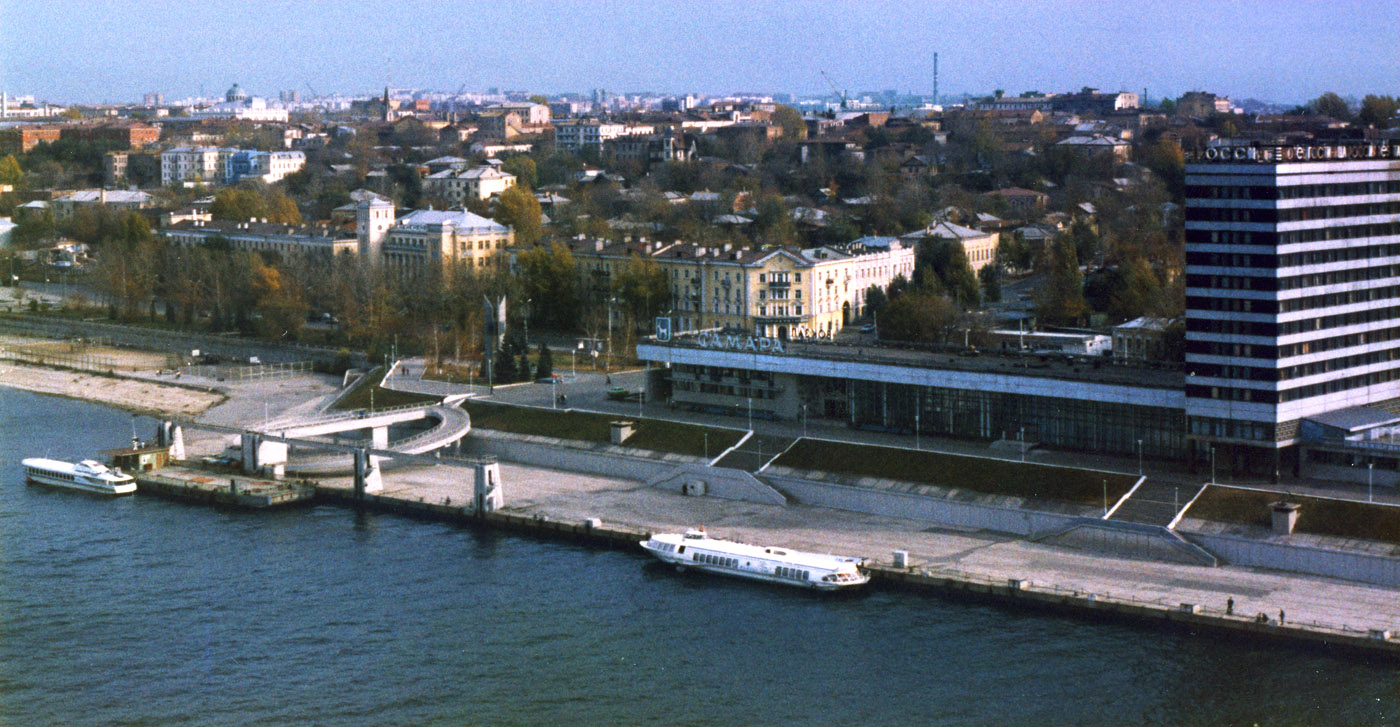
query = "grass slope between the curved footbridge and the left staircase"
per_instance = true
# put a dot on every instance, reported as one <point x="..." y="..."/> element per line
<point x="650" y="434"/>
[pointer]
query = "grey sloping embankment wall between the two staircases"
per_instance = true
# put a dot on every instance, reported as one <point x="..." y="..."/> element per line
<point x="951" y="513"/>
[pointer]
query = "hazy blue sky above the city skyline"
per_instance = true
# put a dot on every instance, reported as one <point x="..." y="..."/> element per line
<point x="115" y="50"/>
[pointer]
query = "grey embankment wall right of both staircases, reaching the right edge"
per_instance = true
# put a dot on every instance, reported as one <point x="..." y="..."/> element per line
<point x="1363" y="568"/>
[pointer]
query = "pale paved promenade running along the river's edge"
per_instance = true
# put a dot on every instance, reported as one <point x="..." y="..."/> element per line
<point x="968" y="555"/>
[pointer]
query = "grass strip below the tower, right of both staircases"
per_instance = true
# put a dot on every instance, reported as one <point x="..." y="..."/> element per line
<point x="1317" y="516"/>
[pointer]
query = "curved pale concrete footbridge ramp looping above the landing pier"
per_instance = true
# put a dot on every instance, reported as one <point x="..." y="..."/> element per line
<point x="451" y="425"/>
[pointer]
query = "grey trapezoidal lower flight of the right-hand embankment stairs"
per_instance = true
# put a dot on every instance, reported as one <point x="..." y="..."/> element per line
<point x="1128" y="540"/>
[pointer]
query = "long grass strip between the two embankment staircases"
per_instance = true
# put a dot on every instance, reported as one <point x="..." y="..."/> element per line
<point x="992" y="477"/>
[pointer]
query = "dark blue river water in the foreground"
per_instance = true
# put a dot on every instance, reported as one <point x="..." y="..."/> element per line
<point x="143" y="611"/>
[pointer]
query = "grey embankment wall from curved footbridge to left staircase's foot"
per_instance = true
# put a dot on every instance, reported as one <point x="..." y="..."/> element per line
<point x="670" y="473"/>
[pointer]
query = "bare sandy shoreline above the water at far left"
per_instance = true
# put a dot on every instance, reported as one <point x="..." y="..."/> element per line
<point x="129" y="394"/>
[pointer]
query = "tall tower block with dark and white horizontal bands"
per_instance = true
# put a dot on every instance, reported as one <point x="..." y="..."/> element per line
<point x="1293" y="299"/>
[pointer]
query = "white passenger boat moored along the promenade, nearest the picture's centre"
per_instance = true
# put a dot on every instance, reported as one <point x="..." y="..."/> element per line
<point x="776" y="565"/>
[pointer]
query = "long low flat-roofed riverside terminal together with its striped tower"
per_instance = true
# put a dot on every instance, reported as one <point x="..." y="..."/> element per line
<point x="1293" y="341"/>
